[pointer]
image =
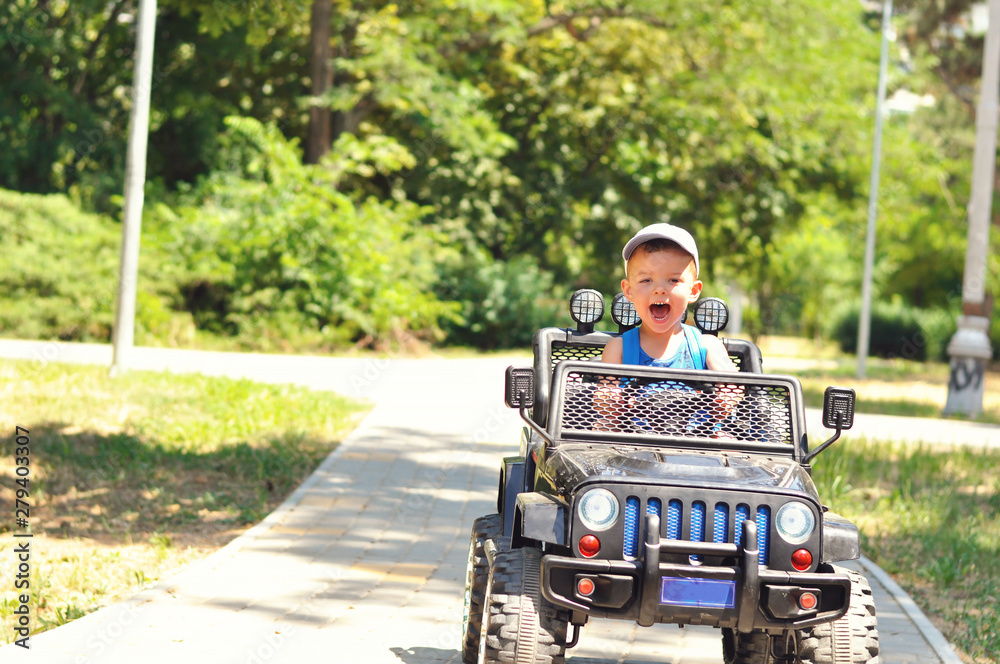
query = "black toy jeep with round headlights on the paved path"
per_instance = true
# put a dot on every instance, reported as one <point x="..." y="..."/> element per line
<point x="663" y="496"/>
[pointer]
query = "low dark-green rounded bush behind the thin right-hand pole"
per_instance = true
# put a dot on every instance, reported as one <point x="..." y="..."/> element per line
<point x="896" y="331"/>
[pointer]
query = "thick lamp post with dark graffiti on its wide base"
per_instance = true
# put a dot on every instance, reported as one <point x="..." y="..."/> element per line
<point x="970" y="349"/>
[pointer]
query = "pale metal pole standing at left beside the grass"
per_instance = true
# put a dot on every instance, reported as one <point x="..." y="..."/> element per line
<point x="135" y="179"/>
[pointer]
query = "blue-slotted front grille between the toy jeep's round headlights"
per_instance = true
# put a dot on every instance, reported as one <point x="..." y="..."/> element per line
<point x="696" y="521"/>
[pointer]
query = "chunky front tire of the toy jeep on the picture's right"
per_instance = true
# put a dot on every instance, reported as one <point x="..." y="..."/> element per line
<point x="852" y="638"/>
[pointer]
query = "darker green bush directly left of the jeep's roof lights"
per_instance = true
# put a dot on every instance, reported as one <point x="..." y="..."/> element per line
<point x="503" y="303"/>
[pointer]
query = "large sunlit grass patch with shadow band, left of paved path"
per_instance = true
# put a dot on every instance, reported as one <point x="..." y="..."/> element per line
<point x="131" y="478"/>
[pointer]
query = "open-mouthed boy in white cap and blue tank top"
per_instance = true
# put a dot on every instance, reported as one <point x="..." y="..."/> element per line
<point x="661" y="280"/>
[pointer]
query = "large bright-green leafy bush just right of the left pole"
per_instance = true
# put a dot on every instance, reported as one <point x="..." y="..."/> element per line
<point x="271" y="249"/>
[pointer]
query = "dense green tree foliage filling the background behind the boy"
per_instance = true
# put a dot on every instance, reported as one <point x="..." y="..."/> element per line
<point x="497" y="139"/>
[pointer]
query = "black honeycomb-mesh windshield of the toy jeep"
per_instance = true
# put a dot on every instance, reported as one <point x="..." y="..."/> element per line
<point x="666" y="403"/>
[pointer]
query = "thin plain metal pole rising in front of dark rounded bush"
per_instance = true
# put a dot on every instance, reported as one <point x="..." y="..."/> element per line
<point x="864" y="324"/>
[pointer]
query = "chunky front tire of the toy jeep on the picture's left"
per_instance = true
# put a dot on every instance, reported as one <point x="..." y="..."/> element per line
<point x="521" y="626"/>
